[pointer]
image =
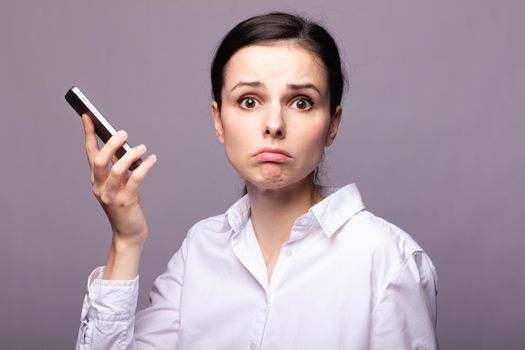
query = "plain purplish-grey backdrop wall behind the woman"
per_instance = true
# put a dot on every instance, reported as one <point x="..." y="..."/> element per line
<point x="432" y="133"/>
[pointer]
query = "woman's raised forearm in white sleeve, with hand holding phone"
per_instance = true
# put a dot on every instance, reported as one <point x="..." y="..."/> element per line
<point x="109" y="307"/>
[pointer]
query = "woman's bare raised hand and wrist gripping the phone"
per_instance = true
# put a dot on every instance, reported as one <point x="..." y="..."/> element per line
<point x="118" y="192"/>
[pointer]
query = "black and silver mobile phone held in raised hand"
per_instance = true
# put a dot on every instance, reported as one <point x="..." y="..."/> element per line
<point x="103" y="128"/>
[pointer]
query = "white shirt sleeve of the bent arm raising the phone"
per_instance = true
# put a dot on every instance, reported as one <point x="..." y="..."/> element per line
<point x="108" y="319"/>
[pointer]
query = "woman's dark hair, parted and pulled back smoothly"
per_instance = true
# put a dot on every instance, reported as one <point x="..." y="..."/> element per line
<point x="276" y="26"/>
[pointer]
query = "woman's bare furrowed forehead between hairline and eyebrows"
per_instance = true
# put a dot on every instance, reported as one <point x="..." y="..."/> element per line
<point x="282" y="62"/>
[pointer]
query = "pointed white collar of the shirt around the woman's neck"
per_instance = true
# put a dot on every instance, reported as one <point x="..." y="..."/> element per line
<point x="338" y="206"/>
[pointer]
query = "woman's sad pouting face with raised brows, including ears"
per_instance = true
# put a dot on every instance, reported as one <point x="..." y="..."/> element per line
<point x="275" y="115"/>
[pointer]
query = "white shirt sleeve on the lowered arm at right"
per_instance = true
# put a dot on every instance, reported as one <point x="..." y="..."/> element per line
<point x="405" y="316"/>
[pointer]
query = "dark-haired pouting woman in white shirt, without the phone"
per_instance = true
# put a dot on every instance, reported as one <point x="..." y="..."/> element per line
<point x="292" y="264"/>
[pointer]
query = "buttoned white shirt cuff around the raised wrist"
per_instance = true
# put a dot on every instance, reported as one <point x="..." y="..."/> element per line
<point x="111" y="300"/>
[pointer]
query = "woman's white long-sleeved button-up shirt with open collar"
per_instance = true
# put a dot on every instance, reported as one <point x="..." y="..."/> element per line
<point x="345" y="279"/>
